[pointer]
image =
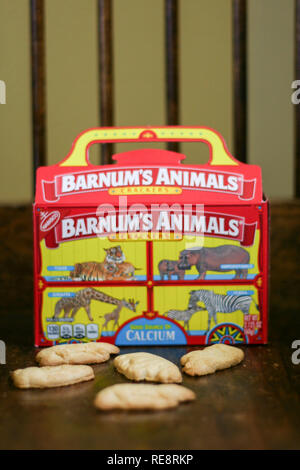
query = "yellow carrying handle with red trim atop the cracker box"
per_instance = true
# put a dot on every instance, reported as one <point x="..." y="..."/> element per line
<point x="219" y="154"/>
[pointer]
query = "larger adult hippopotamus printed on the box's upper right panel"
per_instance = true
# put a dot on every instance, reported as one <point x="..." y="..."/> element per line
<point x="211" y="259"/>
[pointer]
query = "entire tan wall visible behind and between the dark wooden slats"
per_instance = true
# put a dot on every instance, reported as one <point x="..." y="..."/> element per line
<point x="205" y="88"/>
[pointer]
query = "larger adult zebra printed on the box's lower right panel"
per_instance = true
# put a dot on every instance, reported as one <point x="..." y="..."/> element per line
<point x="219" y="303"/>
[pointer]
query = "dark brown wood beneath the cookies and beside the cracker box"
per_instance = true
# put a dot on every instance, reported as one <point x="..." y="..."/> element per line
<point x="252" y="406"/>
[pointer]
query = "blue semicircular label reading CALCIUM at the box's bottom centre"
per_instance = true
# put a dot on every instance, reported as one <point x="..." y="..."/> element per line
<point x="150" y="332"/>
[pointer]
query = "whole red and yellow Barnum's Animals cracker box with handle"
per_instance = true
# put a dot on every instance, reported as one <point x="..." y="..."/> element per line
<point x="150" y="250"/>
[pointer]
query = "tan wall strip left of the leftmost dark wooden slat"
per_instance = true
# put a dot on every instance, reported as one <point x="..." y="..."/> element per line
<point x="15" y="115"/>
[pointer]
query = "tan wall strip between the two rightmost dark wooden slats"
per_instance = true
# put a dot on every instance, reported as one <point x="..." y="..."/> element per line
<point x="271" y="72"/>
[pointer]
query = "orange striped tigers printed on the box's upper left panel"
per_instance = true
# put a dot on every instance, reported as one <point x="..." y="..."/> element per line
<point x="113" y="268"/>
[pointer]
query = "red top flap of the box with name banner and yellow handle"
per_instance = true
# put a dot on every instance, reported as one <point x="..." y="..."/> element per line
<point x="149" y="176"/>
